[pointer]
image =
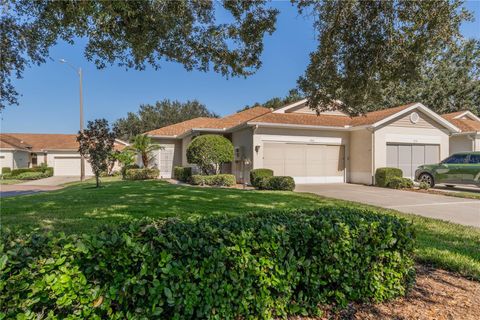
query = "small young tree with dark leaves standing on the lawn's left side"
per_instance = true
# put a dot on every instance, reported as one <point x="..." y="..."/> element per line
<point x="96" y="144"/>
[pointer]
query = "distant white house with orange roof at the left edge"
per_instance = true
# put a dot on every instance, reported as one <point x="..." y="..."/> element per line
<point x="60" y="151"/>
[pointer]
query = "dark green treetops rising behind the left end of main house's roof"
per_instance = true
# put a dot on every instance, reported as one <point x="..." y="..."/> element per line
<point x="163" y="113"/>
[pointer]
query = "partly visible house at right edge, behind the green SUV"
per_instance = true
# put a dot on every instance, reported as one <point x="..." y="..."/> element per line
<point x="469" y="137"/>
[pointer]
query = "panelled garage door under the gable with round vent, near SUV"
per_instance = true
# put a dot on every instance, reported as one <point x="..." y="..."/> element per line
<point x="409" y="157"/>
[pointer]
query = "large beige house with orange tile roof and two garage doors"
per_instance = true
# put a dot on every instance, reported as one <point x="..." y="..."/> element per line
<point x="329" y="147"/>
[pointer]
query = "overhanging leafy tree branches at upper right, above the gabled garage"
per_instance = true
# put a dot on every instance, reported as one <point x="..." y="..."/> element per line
<point x="365" y="45"/>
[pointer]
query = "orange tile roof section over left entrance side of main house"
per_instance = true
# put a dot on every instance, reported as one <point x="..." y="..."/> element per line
<point x="210" y="123"/>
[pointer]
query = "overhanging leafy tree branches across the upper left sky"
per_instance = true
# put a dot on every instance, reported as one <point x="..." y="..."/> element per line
<point x="134" y="34"/>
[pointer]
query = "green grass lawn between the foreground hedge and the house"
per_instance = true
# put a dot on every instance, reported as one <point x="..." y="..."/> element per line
<point x="79" y="208"/>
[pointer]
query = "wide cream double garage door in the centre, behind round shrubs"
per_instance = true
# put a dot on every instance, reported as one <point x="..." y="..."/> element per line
<point x="306" y="163"/>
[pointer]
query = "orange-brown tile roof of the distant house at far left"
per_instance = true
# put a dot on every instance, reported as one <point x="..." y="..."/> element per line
<point x="38" y="142"/>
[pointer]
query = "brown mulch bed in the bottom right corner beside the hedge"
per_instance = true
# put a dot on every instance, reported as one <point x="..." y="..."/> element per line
<point x="437" y="295"/>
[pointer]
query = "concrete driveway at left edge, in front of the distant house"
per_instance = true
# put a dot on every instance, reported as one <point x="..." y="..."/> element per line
<point x="35" y="186"/>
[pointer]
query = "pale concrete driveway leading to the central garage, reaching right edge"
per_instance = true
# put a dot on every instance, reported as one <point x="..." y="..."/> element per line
<point x="458" y="210"/>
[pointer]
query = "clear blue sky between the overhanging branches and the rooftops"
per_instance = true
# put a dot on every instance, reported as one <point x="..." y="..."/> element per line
<point x="49" y="102"/>
